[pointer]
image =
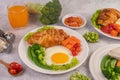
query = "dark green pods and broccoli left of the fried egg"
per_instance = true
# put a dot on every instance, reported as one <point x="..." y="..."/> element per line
<point x="36" y="54"/>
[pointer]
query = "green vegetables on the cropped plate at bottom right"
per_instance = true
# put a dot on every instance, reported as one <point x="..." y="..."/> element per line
<point x="109" y="68"/>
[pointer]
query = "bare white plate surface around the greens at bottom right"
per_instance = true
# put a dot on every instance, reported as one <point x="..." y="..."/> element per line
<point x="96" y="58"/>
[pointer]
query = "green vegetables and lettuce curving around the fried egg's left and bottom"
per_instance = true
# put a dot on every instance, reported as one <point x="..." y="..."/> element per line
<point x="36" y="54"/>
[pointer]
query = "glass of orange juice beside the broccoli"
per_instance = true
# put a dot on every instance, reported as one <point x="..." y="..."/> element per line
<point x="18" y="15"/>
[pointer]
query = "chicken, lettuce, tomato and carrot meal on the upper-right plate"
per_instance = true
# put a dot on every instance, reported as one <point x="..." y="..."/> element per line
<point x="107" y="20"/>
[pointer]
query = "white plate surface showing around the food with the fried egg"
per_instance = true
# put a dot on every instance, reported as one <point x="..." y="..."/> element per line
<point x="22" y="49"/>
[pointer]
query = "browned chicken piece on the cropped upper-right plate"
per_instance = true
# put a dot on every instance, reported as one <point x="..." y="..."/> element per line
<point x="107" y="16"/>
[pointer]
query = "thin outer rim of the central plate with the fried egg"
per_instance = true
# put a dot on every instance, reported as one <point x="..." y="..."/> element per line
<point x="61" y="27"/>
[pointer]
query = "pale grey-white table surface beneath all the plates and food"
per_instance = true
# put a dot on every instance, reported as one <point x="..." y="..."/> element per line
<point x="85" y="7"/>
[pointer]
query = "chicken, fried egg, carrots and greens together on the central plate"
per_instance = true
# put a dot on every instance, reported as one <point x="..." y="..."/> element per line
<point x="53" y="49"/>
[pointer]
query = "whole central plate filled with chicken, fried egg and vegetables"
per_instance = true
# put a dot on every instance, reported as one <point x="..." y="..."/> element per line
<point x="53" y="49"/>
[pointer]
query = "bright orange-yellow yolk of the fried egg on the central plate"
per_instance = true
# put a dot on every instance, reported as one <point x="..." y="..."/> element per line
<point x="60" y="58"/>
